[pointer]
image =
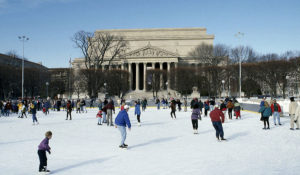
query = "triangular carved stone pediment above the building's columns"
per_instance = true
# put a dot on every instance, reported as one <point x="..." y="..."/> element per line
<point x="150" y="51"/>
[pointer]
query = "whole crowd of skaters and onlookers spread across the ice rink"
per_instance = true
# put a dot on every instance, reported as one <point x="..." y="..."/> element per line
<point x="218" y="111"/>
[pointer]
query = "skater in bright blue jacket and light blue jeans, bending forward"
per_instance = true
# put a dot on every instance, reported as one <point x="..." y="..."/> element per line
<point x="121" y="121"/>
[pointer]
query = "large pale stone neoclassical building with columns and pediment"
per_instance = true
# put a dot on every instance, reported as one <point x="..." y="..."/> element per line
<point x="154" y="49"/>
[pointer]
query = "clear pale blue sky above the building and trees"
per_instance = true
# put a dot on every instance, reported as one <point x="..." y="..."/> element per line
<point x="269" y="25"/>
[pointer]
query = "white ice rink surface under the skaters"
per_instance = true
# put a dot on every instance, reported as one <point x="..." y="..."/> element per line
<point x="160" y="146"/>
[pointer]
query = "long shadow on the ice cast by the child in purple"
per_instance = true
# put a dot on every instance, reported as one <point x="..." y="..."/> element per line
<point x="79" y="164"/>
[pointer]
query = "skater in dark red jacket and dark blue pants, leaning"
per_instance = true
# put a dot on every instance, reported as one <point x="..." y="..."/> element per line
<point x="217" y="118"/>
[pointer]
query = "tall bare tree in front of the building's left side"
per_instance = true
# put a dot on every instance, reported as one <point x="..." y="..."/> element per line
<point x="98" y="48"/>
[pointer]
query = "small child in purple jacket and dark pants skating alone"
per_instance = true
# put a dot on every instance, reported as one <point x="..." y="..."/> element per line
<point x="42" y="148"/>
